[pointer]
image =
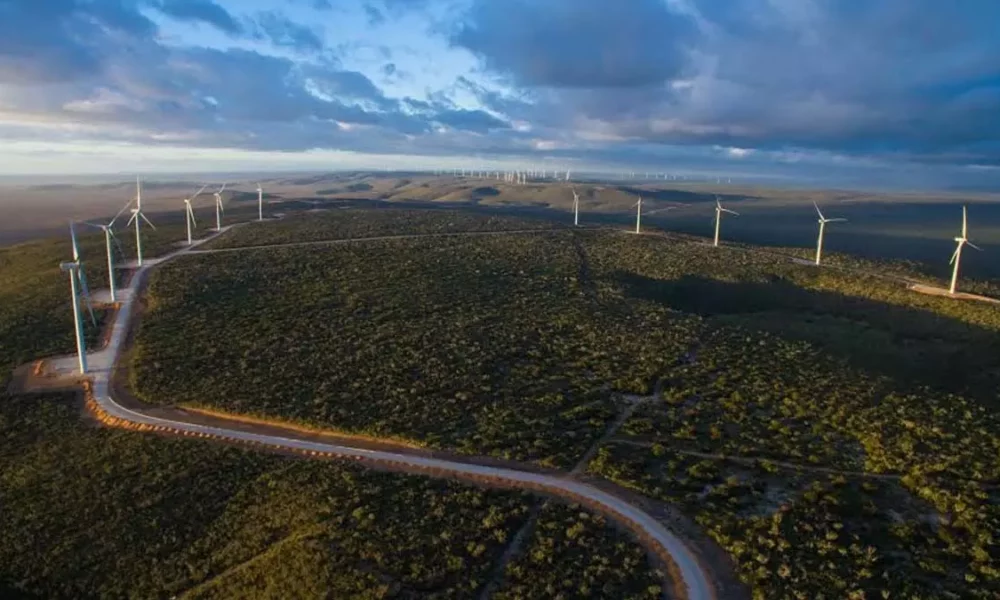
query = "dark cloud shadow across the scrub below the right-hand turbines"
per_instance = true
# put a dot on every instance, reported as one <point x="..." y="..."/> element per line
<point x="911" y="345"/>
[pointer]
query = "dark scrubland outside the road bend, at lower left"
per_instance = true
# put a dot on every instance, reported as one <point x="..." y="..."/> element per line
<point x="91" y="512"/>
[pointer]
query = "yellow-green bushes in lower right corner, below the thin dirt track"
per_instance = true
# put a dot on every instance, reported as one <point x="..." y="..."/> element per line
<point x="801" y="534"/>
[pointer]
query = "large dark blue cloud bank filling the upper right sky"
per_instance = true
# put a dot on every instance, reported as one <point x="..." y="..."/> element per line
<point x="912" y="79"/>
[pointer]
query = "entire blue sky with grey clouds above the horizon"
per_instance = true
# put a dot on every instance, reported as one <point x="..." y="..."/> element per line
<point x="902" y="93"/>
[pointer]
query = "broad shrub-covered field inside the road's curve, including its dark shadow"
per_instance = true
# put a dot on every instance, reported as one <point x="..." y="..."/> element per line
<point x="866" y="410"/>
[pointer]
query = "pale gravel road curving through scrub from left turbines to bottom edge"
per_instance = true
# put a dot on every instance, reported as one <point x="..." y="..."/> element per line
<point x="693" y="582"/>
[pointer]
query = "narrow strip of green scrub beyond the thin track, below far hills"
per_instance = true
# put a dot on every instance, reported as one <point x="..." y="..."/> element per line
<point x="352" y="223"/>
